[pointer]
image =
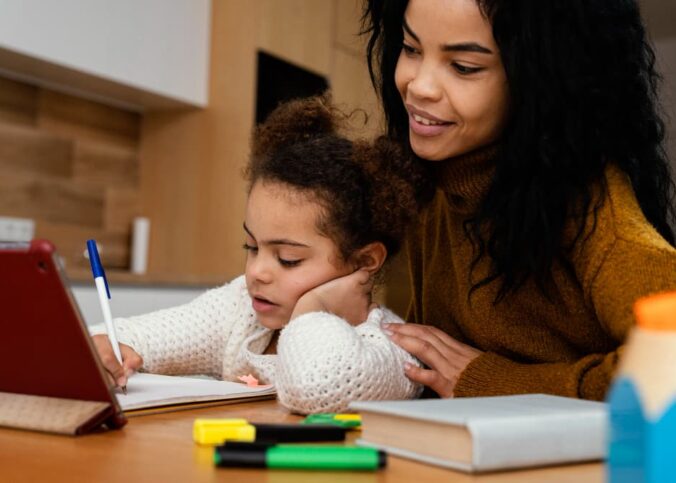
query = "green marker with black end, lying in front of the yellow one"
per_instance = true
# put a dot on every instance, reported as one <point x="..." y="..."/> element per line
<point x="306" y="457"/>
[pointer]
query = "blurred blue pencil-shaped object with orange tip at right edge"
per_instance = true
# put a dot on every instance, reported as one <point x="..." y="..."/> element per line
<point x="642" y="400"/>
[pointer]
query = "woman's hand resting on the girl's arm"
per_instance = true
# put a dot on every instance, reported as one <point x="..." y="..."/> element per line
<point x="445" y="356"/>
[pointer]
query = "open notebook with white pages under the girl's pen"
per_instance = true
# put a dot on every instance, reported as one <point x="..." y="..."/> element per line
<point x="155" y="391"/>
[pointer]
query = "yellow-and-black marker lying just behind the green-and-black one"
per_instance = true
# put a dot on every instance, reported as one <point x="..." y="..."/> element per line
<point x="218" y="431"/>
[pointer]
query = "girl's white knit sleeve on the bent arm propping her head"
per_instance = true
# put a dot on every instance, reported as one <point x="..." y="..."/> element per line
<point x="324" y="363"/>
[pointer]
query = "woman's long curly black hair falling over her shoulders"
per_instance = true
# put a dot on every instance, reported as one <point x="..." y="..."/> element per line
<point x="583" y="93"/>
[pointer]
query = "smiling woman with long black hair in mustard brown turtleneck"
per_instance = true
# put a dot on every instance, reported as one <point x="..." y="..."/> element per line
<point x="552" y="208"/>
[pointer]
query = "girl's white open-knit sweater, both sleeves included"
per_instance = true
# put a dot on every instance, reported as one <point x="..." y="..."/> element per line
<point x="322" y="362"/>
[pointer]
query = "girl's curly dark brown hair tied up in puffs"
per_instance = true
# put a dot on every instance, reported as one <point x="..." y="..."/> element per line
<point x="368" y="190"/>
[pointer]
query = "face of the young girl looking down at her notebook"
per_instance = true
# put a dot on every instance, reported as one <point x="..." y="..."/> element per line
<point x="286" y="255"/>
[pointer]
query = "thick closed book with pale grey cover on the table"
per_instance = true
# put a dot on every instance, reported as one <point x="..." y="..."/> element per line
<point x="487" y="433"/>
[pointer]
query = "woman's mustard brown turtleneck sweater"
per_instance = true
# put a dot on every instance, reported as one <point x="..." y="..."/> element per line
<point x="568" y="347"/>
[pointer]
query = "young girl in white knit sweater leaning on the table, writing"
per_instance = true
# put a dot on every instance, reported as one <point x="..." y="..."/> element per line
<point x="321" y="213"/>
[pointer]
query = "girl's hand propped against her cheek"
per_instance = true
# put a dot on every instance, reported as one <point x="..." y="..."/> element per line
<point x="348" y="297"/>
